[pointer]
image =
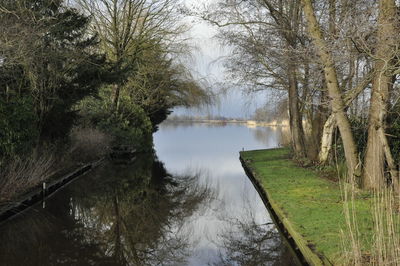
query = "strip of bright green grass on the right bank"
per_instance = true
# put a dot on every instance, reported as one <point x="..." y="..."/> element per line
<point x="311" y="206"/>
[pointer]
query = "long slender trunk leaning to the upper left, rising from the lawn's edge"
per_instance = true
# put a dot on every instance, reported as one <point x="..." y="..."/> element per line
<point x="337" y="103"/>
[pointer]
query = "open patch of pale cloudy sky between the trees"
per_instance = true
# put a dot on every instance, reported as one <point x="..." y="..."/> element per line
<point x="207" y="62"/>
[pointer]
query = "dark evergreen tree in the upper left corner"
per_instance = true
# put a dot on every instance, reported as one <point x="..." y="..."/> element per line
<point x="48" y="58"/>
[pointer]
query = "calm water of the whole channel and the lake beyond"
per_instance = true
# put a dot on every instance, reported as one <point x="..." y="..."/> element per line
<point x="192" y="204"/>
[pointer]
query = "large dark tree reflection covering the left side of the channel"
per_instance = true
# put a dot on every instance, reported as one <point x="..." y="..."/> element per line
<point x="130" y="216"/>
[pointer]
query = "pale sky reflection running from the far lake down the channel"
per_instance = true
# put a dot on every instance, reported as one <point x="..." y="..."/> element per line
<point x="214" y="150"/>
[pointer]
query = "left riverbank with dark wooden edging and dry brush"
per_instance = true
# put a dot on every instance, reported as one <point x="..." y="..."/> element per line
<point x="44" y="183"/>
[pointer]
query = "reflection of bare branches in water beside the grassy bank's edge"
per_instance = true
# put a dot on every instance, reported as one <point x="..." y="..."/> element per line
<point x="250" y="238"/>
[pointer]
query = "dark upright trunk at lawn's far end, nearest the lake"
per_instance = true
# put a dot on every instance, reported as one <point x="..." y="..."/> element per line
<point x="295" y="118"/>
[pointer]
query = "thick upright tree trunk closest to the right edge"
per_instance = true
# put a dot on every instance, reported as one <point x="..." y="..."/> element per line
<point x="373" y="176"/>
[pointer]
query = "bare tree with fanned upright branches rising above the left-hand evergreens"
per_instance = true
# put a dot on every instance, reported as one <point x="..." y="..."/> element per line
<point x="127" y="28"/>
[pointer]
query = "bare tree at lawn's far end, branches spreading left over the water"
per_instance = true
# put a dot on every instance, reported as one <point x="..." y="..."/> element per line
<point x="266" y="38"/>
